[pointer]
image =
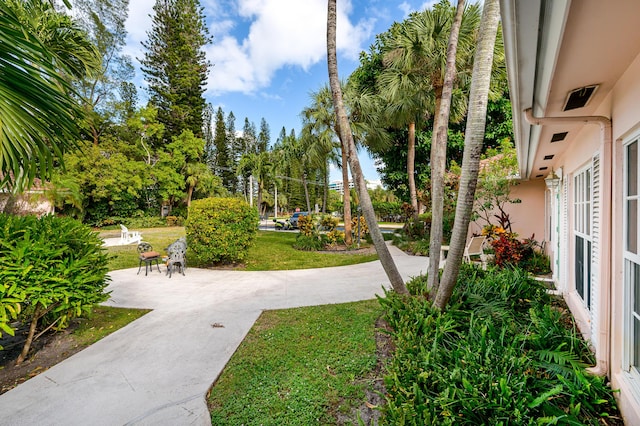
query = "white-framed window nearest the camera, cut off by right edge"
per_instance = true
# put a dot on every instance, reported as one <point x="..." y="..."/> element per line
<point x="631" y="256"/>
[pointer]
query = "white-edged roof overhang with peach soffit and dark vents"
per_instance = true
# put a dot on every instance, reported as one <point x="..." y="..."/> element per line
<point x="553" y="47"/>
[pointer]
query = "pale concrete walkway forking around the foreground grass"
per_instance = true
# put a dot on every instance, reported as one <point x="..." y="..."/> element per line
<point x="158" y="369"/>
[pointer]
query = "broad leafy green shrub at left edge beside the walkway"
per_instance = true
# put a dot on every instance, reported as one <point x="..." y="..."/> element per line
<point x="52" y="269"/>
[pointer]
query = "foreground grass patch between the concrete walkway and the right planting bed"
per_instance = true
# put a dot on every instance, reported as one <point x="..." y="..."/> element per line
<point x="299" y="367"/>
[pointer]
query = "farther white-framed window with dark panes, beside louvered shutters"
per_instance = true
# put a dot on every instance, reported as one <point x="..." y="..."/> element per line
<point x="582" y="233"/>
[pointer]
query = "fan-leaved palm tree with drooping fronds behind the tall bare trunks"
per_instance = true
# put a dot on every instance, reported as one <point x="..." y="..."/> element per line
<point x="412" y="80"/>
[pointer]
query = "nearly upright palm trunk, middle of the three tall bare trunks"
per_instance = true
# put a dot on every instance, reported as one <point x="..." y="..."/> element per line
<point x="439" y="155"/>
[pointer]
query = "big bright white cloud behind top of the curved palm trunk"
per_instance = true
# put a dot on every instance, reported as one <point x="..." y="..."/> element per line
<point x="280" y="33"/>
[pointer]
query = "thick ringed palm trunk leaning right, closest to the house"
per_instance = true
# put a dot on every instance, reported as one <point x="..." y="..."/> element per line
<point x="474" y="136"/>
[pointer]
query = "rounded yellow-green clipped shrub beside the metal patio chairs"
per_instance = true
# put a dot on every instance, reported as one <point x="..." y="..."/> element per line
<point x="220" y="230"/>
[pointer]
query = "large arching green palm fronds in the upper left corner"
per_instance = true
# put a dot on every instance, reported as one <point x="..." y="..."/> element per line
<point x="41" y="50"/>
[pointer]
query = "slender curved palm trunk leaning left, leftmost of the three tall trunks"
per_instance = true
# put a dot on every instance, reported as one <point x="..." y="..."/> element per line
<point x="345" y="130"/>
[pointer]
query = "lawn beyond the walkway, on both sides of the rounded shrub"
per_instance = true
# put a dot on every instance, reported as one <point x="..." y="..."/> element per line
<point x="272" y="251"/>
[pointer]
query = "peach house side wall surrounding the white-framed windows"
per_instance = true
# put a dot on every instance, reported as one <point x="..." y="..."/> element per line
<point x="623" y="106"/>
